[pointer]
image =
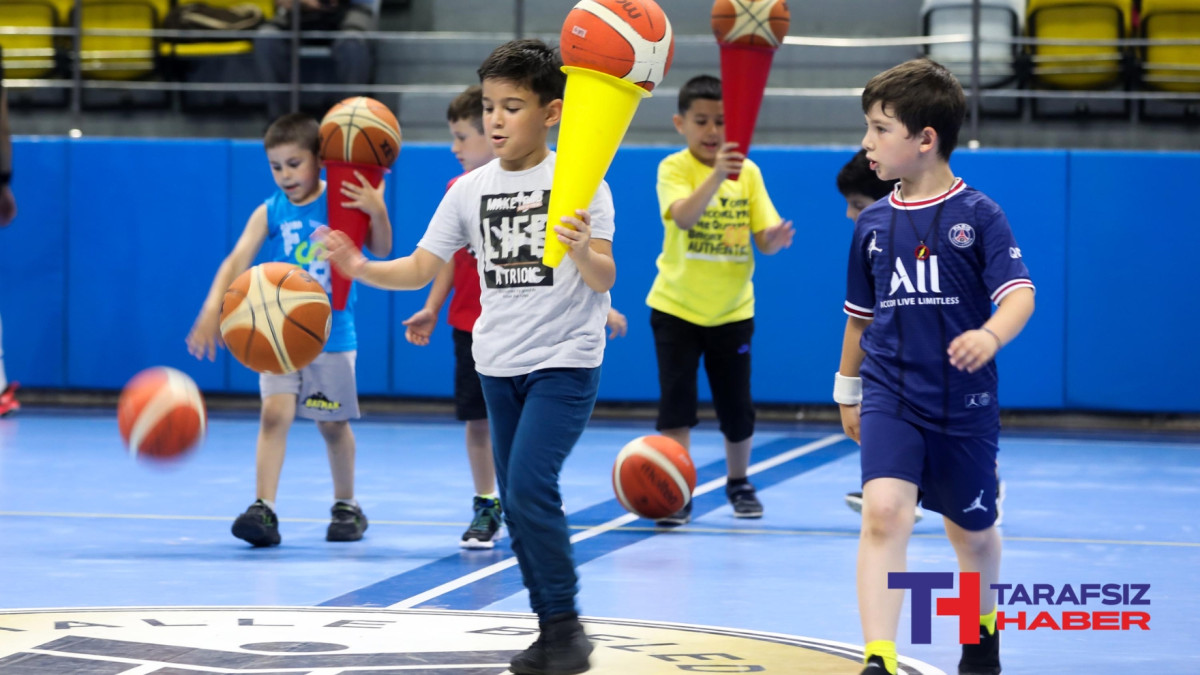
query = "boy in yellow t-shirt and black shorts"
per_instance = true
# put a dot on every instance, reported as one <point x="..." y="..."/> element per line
<point x="703" y="300"/>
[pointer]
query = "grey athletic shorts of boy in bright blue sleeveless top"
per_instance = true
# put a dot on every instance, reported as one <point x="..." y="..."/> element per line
<point x="326" y="390"/>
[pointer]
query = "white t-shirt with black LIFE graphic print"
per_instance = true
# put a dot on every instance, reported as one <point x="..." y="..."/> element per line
<point x="535" y="318"/>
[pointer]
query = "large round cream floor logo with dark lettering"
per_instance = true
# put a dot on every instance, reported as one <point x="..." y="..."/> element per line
<point x="347" y="642"/>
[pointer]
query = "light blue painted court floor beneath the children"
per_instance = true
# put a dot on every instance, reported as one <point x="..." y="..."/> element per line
<point x="86" y="527"/>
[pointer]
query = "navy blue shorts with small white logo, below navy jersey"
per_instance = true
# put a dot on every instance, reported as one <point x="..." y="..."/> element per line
<point x="957" y="475"/>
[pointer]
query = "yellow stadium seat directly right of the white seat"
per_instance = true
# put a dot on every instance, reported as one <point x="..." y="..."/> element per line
<point x="1078" y="67"/>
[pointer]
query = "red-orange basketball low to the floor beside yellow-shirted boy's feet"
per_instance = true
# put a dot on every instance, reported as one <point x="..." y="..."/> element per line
<point x="653" y="477"/>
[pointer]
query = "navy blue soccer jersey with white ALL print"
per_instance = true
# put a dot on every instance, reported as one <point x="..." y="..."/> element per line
<point x="925" y="273"/>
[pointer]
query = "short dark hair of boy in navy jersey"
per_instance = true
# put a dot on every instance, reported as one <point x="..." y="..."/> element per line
<point x="921" y="93"/>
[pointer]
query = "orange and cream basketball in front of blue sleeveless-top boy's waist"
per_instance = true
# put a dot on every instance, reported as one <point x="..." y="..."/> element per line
<point x="275" y="319"/>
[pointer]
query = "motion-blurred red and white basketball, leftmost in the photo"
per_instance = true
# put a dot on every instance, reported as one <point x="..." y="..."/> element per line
<point x="161" y="415"/>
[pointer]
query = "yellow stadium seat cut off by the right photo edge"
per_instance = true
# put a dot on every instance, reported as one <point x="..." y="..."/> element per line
<point x="1172" y="68"/>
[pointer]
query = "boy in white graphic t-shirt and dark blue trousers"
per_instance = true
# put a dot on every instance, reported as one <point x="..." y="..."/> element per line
<point x="539" y="342"/>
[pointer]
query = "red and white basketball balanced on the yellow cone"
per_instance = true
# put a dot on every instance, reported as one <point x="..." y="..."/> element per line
<point x="626" y="39"/>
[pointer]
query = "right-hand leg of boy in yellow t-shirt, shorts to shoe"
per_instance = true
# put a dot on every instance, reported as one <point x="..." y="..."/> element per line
<point x="728" y="365"/>
